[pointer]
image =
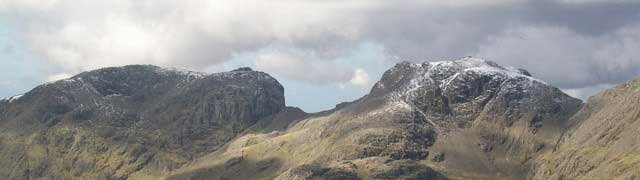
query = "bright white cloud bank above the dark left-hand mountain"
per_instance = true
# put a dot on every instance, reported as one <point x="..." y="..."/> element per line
<point x="78" y="36"/>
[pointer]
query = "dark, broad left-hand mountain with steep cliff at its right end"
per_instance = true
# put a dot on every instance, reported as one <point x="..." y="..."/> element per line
<point x="115" y="122"/>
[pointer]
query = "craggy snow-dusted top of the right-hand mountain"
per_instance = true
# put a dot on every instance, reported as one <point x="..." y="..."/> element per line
<point x="445" y="89"/>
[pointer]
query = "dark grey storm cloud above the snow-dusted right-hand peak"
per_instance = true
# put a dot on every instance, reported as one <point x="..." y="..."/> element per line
<point x="570" y="44"/>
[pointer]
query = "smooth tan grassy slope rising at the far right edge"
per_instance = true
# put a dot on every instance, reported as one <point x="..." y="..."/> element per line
<point x="603" y="142"/>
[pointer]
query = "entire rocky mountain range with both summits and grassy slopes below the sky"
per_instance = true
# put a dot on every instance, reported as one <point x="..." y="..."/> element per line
<point x="461" y="119"/>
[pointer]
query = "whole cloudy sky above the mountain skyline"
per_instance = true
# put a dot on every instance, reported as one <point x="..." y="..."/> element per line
<point x="323" y="51"/>
